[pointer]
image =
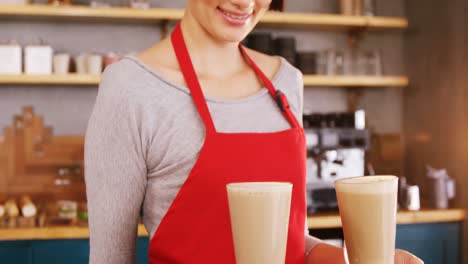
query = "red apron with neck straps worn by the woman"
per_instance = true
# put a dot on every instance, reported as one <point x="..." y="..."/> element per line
<point x="197" y="228"/>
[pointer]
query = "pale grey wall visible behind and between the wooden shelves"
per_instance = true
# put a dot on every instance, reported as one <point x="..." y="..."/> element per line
<point x="67" y="108"/>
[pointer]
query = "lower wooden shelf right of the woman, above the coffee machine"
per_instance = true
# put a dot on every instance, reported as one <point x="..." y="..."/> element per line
<point x="355" y="81"/>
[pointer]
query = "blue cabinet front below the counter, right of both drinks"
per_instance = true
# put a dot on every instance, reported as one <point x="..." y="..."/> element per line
<point x="433" y="243"/>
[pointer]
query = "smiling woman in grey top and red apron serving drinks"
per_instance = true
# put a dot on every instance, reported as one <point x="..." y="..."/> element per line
<point x="174" y="124"/>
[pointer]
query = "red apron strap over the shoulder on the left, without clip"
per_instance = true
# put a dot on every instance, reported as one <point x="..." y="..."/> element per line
<point x="185" y="64"/>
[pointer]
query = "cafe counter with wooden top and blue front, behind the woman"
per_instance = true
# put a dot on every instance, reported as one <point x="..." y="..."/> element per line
<point x="434" y="235"/>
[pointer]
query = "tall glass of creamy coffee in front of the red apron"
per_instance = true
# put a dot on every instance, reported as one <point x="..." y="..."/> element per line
<point x="260" y="219"/>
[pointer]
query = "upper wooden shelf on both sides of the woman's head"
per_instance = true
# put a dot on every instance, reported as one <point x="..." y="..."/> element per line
<point x="152" y="15"/>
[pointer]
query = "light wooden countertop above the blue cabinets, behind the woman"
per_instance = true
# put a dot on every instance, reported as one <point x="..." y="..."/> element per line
<point x="318" y="221"/>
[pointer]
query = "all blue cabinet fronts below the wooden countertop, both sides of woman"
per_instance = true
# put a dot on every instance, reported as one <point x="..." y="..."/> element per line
<point x="434" y="243"/>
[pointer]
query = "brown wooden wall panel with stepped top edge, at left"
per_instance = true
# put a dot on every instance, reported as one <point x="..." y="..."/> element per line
<point x="31" y="158"/>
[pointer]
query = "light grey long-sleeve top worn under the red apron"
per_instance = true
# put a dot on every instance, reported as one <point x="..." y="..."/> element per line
<point x="143" y="138"/>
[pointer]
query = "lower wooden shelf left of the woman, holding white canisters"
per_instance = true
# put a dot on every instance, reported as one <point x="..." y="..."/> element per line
<point x="68" y="79"/>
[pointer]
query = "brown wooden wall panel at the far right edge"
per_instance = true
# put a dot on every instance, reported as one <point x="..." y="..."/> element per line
<point x="436" y="102"/>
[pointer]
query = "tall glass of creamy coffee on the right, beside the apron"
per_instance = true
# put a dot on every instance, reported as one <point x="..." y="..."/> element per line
<point x="368" y="208"/>
